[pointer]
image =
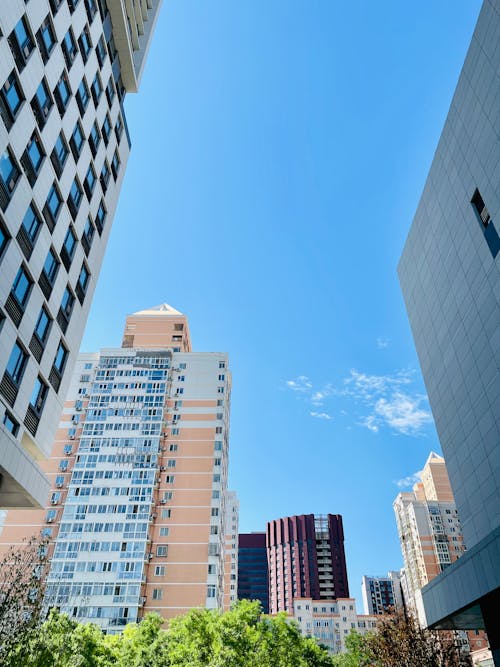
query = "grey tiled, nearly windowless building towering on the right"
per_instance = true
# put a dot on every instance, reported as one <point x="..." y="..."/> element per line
<point x="450" y="277"/>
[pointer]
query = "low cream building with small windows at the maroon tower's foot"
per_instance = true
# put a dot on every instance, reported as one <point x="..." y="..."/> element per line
<point x="331" y="621"/>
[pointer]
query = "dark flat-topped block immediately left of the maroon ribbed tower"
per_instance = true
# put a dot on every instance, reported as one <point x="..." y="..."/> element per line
<point x="253" y="573"/>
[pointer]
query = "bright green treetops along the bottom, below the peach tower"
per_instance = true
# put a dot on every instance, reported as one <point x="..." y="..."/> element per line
<point x="242" y="637"/>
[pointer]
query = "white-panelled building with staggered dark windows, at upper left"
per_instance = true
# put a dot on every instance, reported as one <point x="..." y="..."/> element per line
<point x="65" y="67"/>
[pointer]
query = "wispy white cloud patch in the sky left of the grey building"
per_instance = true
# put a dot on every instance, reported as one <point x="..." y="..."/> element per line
<point x="376" y="401"/>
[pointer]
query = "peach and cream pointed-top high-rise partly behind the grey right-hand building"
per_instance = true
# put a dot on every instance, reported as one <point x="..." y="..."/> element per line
<point x="429" y="528"/>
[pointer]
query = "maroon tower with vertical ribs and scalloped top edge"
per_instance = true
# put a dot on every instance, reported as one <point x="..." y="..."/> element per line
<point x="306" y="559"/>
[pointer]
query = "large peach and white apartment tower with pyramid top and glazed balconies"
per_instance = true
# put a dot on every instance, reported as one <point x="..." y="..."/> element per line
<point x="137" y="511"/>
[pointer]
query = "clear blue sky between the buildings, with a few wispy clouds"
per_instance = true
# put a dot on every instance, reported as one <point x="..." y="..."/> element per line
<point x="279" y="151"/>
